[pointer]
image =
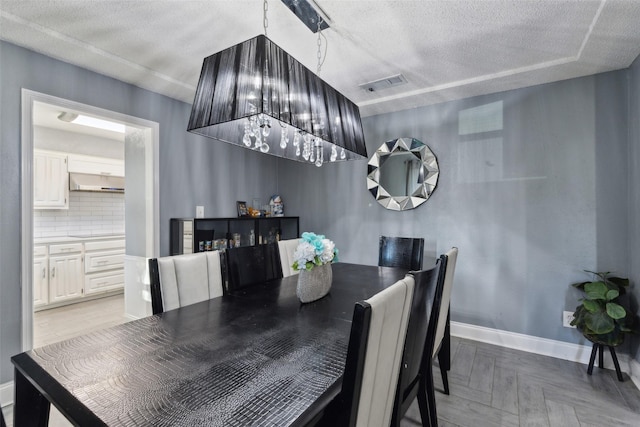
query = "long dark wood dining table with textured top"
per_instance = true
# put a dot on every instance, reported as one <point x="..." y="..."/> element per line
<point x="257" y="357"/>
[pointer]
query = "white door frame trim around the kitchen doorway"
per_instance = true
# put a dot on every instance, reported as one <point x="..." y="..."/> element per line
<point x="152" y="202"/>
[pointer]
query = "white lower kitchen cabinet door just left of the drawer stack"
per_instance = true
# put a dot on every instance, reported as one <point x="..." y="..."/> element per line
<point x="66" y="272"/>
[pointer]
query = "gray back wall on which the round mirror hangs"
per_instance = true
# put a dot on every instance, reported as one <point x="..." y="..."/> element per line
<point x="529" y="206"/>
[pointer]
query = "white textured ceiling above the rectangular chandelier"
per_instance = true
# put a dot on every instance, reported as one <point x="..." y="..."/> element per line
<point x="445" y="49"/>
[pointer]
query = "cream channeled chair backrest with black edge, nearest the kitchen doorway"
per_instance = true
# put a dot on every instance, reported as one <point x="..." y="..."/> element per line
<point x="181" y="280"/>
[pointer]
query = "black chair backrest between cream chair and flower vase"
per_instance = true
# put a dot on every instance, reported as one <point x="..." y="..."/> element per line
<point x="250" y="265"/>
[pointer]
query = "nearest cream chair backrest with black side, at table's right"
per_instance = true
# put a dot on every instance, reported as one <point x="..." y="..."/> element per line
<point x="374" y="355"/>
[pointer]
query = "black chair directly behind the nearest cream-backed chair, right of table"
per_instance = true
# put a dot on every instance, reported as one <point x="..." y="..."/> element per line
<point x="426" y="285"/>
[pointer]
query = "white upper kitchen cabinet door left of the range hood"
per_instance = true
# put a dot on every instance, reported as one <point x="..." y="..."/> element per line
<point x="50" y="180"/>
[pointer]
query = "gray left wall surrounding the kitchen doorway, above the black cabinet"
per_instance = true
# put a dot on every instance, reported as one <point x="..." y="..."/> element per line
<point x="193" y="170"/>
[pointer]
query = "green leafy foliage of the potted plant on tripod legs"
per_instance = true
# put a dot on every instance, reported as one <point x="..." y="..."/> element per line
<point x="601" y="317"/>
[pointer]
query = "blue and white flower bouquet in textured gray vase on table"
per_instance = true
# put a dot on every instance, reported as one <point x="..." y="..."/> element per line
<point x="313" y="258"/>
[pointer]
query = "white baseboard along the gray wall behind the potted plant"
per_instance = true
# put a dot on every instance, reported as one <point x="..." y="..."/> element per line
<point x="544" y="346"/>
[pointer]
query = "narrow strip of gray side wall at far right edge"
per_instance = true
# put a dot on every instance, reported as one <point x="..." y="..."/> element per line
<point x="634" y="192"/>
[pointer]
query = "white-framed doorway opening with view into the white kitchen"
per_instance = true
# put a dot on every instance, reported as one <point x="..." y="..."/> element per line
<point x="82" y="246"/>
